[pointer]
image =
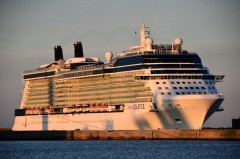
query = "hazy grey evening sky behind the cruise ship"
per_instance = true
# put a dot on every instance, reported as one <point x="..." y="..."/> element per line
<point x="29" y="29"/>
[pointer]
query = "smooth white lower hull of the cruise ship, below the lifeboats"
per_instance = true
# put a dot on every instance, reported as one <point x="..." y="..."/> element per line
<point x="189" y="115"/>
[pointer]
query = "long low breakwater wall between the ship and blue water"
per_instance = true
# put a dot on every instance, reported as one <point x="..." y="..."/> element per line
<point x="204" y="134"/>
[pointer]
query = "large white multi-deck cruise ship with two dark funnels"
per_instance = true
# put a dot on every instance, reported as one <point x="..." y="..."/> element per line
<point x="147" y="87"/>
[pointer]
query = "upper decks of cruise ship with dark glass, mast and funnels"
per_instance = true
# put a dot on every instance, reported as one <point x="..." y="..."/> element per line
<point x="162" y="58"/>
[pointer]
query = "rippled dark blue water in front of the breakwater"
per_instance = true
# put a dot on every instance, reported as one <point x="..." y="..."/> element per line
<point x="125" y="149"/>
